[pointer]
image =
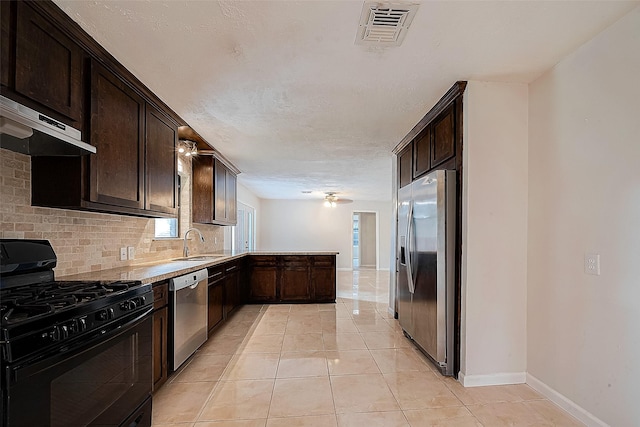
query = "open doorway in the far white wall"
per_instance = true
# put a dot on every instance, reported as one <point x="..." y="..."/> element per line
<point x="365" y="240"/>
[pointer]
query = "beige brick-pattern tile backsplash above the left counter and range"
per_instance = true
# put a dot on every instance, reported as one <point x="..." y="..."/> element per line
<point x="87" y="241"/>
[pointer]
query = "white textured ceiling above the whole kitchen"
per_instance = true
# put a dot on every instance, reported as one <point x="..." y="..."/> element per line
<point x="282" y="90"/>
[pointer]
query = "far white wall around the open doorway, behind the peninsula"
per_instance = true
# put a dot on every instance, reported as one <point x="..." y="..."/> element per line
<point x="300" y="225"/>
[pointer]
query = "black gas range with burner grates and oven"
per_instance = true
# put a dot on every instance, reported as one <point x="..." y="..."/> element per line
<point x="74" y="353"/>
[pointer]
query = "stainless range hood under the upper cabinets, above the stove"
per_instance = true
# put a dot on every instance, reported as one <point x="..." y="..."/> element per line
<point x="29" y="132"/>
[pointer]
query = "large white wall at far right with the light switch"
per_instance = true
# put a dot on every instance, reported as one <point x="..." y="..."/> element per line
<point x="584" y="196"/>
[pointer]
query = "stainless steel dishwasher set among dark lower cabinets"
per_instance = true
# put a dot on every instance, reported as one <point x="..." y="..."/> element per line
<point x="189" y="294"/>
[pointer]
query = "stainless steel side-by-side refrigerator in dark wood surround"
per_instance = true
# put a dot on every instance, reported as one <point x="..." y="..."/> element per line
<point x="426" y="259"/>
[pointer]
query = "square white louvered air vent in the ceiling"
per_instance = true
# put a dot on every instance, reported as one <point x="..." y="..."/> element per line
<point x="385" y="24"/>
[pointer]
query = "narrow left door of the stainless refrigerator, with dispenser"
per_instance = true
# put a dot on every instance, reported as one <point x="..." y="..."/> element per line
<point x="404" y="286"/>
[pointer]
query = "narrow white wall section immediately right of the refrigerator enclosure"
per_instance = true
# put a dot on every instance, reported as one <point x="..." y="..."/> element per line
<point x="494" y="234"/>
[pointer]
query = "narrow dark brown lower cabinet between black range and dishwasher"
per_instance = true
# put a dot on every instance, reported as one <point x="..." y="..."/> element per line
<point x="160" y="333"/>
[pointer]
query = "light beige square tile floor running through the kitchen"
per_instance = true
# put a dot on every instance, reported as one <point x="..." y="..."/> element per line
<point x="329" y="365"/>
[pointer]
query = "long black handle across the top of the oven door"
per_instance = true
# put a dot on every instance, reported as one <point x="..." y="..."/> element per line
<point x="82" y="344"/>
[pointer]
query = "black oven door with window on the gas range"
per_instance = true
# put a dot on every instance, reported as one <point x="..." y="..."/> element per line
<point x="104" y="382"/>
